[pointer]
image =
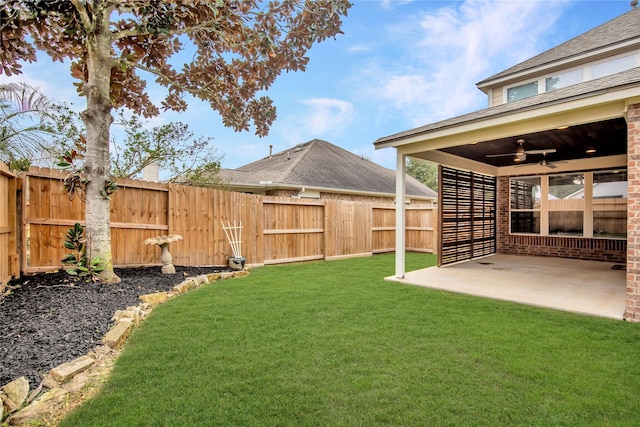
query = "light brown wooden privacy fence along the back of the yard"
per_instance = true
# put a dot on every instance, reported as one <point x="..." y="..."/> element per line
<point x="274" y="229"/>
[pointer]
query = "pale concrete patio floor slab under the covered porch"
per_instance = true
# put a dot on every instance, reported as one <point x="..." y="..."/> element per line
<point x="587" y="287"/>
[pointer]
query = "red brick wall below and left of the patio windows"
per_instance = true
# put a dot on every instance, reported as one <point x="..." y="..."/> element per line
<point x="554" y="246"/>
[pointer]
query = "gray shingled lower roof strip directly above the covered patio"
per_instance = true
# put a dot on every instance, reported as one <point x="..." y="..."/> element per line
<point x="588" y="88"/>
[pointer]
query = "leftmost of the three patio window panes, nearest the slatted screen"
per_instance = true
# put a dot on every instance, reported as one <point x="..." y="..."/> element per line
<point x="525" y="205"/>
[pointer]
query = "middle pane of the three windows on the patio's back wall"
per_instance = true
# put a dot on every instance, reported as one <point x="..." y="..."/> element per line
<point x="566" y="204"/>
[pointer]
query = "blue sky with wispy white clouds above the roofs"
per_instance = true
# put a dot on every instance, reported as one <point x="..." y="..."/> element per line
<point x="400" y="64"/>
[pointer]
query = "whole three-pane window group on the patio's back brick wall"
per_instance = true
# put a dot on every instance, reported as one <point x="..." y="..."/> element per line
<point x="581" y="204"/>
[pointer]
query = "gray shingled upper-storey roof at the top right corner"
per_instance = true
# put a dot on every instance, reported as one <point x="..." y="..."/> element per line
<point x="619" y="30"/>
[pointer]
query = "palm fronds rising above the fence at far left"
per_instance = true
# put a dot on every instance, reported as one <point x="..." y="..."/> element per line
<point x="23" y="113"/>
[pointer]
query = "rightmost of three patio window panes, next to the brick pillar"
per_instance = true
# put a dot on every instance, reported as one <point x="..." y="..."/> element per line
<point x="610" y="204"/>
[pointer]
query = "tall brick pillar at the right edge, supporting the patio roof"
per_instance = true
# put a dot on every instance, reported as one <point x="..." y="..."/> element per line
<point x="632" y="312"/>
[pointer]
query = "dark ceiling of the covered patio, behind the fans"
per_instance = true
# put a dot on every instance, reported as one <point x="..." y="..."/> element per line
<point x="607" y="138"/>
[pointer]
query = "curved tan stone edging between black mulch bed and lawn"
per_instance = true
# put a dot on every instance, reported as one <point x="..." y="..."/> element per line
<point x="65" y="383"/>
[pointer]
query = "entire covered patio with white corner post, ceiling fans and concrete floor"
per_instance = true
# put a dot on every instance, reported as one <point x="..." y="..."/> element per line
<point x="495" y="199"/>
